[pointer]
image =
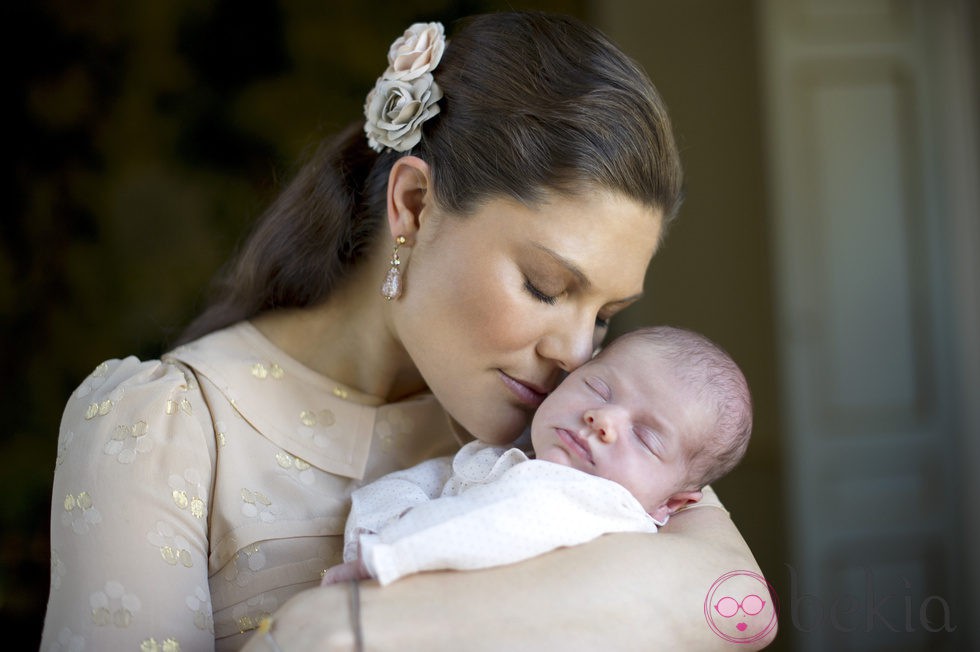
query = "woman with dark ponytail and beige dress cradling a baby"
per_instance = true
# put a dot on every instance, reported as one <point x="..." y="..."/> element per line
<point x="507" y="193"/>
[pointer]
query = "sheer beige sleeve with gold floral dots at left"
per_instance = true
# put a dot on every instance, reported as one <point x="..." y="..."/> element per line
<point x="129" y="520"/>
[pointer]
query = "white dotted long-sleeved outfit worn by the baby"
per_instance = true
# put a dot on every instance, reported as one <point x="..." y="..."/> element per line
<point x="487" y="506"/>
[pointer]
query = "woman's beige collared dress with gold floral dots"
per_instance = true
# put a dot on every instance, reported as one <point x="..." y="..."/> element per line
<point x="194" y="495"/>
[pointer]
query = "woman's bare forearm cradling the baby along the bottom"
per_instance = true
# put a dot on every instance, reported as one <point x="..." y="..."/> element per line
<point x="620" y="592"/>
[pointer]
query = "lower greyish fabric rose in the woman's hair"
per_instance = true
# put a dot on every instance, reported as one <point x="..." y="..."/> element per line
<point x="396" y="109"/>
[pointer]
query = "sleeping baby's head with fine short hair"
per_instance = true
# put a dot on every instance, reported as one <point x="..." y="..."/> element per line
<point x="662" y="411"/>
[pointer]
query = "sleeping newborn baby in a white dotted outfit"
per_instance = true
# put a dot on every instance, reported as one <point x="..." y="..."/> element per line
<point x="625" y="441"/>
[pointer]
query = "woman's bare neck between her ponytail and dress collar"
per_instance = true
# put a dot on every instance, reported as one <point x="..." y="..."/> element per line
<point x="348" y="339"/>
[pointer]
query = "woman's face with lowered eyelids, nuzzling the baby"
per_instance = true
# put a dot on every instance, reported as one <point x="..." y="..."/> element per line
<point x="497" y="304"/>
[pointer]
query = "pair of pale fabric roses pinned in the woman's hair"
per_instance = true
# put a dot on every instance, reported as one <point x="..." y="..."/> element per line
<point x="405" y="95"/>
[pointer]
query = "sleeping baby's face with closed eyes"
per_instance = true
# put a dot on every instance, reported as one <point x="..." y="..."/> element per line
<point x="623" y="417"/>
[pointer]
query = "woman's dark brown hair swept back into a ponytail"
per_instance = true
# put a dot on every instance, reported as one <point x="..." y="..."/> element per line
<point x="532" y="104"/>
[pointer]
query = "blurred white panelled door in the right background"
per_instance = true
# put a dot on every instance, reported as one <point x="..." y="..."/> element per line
<point x="874" y="214"/>
